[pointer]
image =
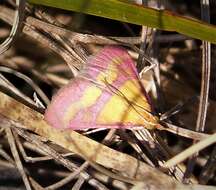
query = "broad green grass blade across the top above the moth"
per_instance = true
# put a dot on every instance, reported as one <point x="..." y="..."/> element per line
<point x="135" y="14"/>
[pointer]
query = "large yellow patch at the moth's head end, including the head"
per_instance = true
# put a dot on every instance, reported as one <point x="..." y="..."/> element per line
<point x="118" y="109"/>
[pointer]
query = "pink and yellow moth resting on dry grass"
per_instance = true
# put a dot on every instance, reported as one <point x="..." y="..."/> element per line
<point x="106" y="94"/>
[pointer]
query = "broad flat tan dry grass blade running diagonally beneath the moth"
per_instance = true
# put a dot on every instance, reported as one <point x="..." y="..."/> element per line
<point x="23" y="116"/>
